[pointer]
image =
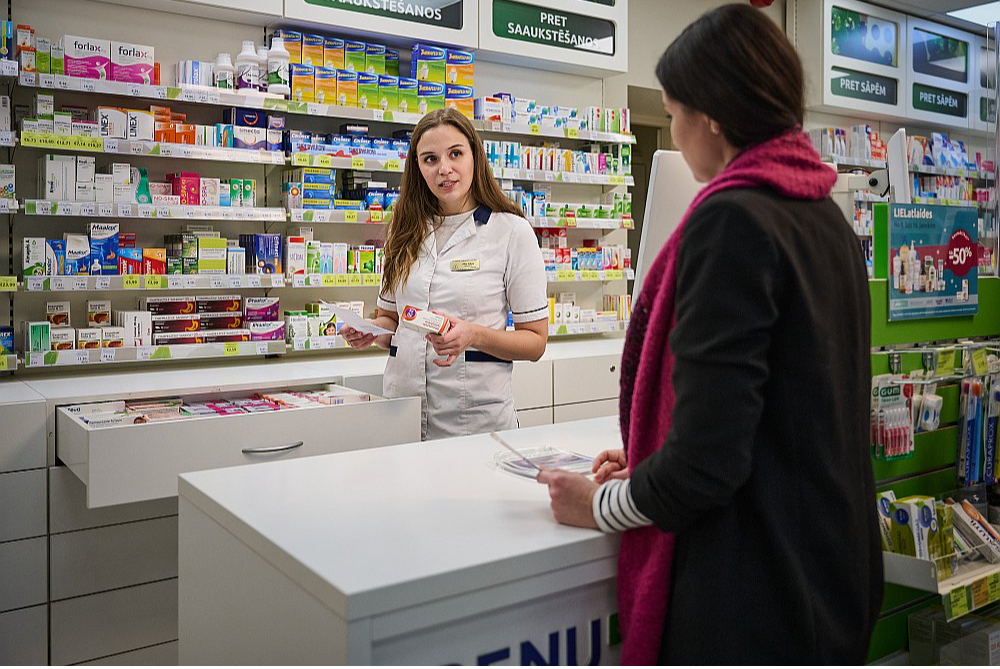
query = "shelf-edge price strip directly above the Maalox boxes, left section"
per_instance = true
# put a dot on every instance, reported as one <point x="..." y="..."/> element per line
<point x="182" y="212"/>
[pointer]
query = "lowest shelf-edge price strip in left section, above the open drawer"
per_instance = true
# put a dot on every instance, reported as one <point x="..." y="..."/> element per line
<point x="153" y="353"/>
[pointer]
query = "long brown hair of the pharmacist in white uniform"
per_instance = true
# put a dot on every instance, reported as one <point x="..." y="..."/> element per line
<point x="417" y="205"/>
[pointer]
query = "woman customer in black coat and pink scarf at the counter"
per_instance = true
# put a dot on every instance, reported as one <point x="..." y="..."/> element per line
<point x="745" y="492"/>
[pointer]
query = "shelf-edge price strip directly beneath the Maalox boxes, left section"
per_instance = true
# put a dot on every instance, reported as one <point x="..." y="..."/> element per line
<point x="56" y="284"/>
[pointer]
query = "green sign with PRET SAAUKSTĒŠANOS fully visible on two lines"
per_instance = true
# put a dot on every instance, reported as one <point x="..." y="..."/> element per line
<point x="550" y="27"/>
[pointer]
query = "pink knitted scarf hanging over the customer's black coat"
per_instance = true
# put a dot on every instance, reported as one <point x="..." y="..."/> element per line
<point x="789" y="165"/>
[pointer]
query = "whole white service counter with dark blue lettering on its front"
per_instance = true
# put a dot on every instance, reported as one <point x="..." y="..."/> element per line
<point x="420" y="553"/>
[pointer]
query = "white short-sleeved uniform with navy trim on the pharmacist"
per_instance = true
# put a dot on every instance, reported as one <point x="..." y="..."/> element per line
<point x="490" y="264"/>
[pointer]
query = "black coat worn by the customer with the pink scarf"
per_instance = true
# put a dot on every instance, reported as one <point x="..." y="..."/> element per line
<point x="765" y="476"/>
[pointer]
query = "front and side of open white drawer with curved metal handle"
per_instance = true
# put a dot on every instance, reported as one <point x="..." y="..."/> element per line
<point x="132" y="463"/>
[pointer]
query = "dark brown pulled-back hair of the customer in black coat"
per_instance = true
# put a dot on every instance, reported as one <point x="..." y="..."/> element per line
<point x="737" y="67"/>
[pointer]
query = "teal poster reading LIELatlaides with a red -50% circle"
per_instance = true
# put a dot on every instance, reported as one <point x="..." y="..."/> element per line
<point x="933" y="258"/>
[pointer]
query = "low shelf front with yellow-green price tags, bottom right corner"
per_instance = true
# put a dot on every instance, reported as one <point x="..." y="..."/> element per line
<point x="973" y="586"/>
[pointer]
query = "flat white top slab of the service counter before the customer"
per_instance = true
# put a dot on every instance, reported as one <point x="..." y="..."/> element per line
<point x="367" y="532"/>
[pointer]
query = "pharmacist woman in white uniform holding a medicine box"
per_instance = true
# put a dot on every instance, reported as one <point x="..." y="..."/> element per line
<point x="458" y="246"/>
